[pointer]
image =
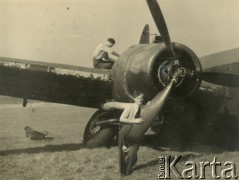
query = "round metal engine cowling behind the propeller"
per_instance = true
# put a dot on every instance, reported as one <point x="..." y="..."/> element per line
<point x="148" y="68"/>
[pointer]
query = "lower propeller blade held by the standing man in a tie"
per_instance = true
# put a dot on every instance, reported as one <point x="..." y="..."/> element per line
<point x="150" y="113"/>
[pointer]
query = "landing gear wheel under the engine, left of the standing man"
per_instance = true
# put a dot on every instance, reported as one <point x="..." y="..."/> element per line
<point x="101" y="129"/>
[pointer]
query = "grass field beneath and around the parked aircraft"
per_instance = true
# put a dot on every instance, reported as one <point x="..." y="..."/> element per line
<point x="65" y="157"/>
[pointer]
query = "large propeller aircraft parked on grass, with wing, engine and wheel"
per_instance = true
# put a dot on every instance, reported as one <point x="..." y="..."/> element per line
<point x="187" y="103"/>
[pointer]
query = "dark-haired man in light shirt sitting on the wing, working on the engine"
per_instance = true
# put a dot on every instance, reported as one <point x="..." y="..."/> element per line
<point x="101" y="57"/>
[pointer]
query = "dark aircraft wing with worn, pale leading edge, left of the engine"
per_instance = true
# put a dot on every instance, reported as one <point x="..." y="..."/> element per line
<point x="56" y="83"/>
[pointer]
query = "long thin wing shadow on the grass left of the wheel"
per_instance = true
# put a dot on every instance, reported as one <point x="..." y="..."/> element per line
<point x="47" y="148"/>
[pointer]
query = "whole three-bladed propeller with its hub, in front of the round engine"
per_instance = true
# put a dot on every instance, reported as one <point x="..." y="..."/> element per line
<point x="150" y="112"/>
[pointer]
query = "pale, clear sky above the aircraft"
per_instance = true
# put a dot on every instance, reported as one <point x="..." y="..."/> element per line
<point x="67" y="31"/>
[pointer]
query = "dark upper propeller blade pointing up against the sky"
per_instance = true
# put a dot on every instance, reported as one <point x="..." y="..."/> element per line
<point x="161" y="24"/>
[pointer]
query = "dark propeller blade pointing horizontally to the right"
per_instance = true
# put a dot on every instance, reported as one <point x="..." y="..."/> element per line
<point x="219" y="78"/>
